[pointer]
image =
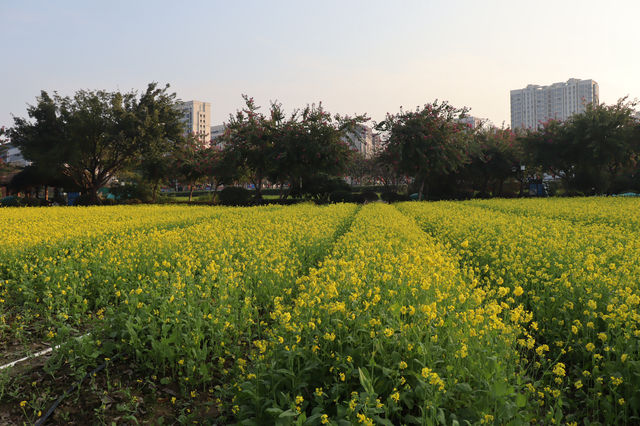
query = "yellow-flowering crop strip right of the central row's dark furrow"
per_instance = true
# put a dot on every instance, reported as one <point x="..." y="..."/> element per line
<point x="579" y="281"/>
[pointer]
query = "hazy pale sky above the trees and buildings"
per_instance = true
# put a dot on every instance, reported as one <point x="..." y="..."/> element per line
<point x="355" y="56"/>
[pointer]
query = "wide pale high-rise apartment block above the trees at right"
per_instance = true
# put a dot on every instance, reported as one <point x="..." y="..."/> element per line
<point x="533" y="105"/>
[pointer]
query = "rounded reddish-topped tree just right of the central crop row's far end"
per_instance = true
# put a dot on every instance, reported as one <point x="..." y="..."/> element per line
<point x="427" y="143"/>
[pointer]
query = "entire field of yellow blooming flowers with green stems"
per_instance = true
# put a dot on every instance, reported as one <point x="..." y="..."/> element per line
<point x="486" y="312"/>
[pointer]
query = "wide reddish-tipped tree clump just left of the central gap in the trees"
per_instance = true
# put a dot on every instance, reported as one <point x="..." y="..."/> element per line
<point x="301" y="147"/>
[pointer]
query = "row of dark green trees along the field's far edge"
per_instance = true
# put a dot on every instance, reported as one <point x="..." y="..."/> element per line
<point x="96" y="138"/>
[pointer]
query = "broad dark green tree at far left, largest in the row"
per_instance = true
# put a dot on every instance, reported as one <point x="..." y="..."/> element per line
<point x="96" y="134"/>
